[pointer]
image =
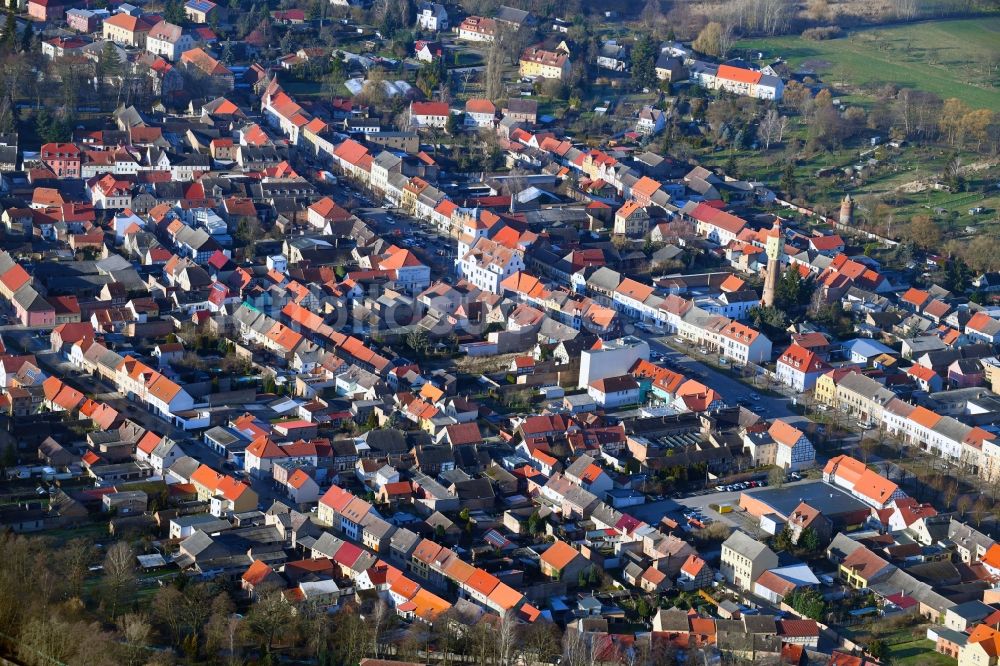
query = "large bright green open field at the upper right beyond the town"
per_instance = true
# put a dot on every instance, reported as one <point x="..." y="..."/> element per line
<point x="948" y="58"/>
